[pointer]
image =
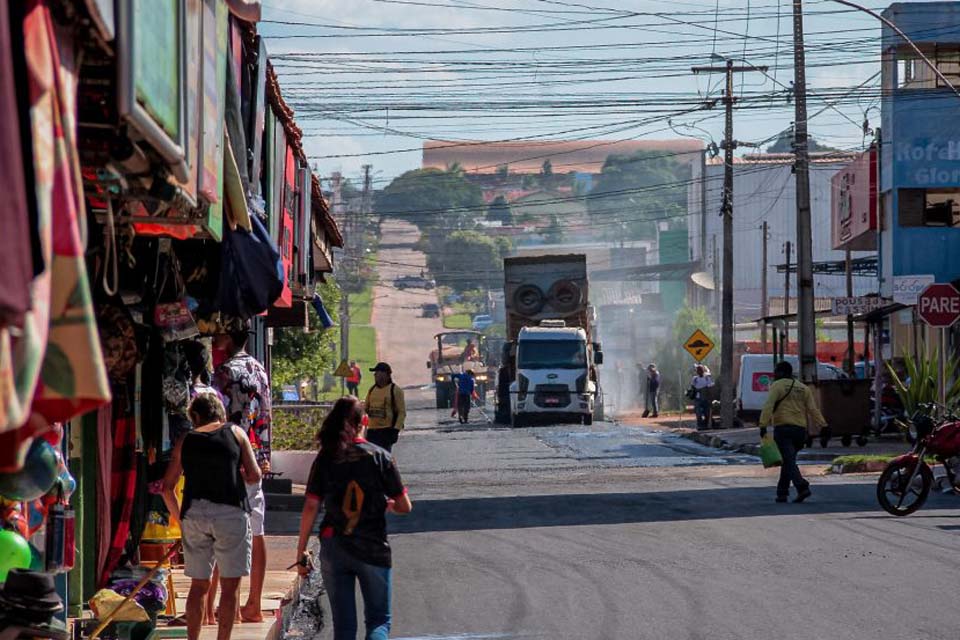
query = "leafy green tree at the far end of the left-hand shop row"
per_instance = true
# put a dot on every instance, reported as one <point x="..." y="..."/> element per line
<point x="299" y="355"/>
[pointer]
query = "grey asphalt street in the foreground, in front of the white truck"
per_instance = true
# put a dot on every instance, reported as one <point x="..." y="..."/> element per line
<point x="616" y="532"/>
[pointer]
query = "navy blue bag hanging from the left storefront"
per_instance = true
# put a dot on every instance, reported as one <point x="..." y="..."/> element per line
<point x="251" y="275"/>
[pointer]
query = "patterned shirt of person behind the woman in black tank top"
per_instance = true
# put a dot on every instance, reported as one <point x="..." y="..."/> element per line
<point x="243" y="382"/>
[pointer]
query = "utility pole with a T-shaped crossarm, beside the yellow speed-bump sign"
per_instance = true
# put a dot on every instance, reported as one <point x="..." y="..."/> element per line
<point x="726" y="329"/>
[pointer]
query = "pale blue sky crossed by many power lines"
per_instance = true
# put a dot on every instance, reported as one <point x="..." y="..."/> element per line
<point x="369" y="80"/>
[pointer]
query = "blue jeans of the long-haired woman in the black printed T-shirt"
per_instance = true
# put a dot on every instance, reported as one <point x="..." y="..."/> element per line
<point x="341" y="571"/>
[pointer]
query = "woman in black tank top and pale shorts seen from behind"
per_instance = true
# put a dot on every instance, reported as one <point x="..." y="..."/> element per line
<point x="216" y="460"/>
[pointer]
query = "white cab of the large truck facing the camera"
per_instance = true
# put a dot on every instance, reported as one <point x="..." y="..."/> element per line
<point x="555" y="374"/>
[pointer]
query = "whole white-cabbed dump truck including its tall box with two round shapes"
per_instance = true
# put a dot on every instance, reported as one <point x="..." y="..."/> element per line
<point x="549" y="362"/>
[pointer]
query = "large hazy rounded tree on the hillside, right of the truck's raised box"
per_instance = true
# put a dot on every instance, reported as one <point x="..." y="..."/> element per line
<point x="635" y="191"/>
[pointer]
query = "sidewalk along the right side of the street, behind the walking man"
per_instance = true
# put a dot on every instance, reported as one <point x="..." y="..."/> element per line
<point x="747" y="439"/>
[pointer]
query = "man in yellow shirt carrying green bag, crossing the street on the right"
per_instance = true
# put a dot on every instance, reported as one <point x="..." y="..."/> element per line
<point x="790" y="408"/>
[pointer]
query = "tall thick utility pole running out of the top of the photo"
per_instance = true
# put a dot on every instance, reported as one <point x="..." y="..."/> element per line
<point x="806" y="321"/>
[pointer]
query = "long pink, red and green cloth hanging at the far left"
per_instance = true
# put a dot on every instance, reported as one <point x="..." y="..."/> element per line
<point x="55" y="368"/>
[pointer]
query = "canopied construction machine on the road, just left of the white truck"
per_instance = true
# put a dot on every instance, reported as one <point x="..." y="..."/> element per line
<point x="458" y="352"/>
